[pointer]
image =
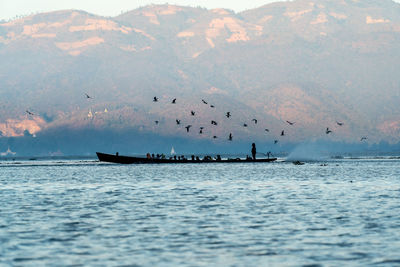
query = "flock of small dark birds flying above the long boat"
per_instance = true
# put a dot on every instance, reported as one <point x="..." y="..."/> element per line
<point x="215" y="123"/>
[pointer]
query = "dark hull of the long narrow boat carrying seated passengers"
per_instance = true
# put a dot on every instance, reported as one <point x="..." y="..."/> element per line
<point x="138" y="160"/>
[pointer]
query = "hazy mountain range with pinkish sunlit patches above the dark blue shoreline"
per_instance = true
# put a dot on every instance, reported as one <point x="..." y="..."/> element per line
<point x="311" y="62"/>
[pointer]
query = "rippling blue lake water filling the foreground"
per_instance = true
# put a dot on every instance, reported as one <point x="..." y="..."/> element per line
<point x="86" y="213"/>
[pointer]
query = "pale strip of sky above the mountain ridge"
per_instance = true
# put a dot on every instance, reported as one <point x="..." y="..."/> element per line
<point x="11" y="8"/>
